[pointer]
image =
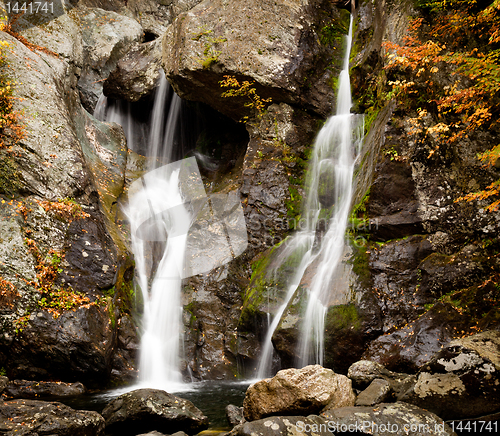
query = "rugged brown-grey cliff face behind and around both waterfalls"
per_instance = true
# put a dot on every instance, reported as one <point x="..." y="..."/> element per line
<point x="421" y="269"/>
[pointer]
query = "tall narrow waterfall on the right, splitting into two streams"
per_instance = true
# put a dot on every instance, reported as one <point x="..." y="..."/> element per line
<point x="329" y="186"/>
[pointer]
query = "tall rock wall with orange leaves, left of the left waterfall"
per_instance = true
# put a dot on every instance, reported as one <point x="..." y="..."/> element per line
<point x="62" y="248"/>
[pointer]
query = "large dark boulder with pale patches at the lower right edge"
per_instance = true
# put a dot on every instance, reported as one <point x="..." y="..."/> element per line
<point x="462" y="380"/>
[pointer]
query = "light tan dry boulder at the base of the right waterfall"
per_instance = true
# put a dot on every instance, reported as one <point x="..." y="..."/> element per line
<point x="292" y="391"/>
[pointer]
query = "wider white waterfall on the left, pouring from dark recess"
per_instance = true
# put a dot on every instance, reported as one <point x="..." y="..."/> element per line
<point x="158" y="245"/>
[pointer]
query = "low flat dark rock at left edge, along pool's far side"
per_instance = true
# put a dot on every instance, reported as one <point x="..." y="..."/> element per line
<point x="33" y="389"/>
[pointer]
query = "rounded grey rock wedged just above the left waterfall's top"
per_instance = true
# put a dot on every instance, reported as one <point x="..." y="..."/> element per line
<point x="136" y="74"/>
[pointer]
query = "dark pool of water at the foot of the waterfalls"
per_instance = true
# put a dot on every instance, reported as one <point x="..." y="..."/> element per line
<point x="211" y="397"/>
